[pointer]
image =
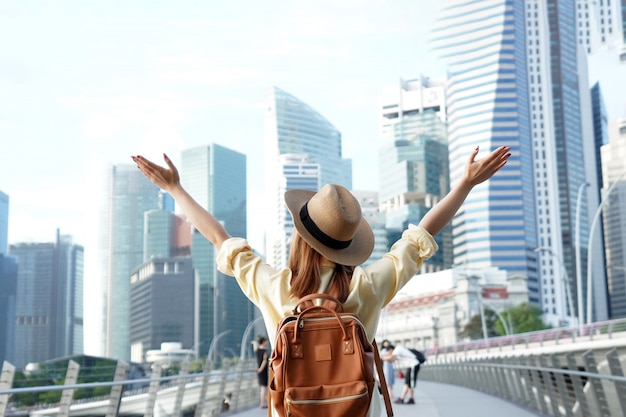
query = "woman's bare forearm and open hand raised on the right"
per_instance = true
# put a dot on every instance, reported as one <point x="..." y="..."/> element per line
<point x="475" y="173"/>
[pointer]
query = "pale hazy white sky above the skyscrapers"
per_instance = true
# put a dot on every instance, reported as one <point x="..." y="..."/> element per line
<point x="88" y="83"/>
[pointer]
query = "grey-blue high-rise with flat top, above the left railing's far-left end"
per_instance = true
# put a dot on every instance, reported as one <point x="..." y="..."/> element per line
<point x="49" y="302"/>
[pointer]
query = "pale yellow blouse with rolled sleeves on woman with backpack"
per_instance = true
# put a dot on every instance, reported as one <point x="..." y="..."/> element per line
<point x="371" y="287"/>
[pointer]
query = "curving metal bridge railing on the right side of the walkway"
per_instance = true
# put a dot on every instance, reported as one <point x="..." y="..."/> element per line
<point x="569" y="384"/>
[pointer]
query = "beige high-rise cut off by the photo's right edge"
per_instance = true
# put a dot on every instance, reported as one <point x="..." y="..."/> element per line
<point x="614" y="215"/>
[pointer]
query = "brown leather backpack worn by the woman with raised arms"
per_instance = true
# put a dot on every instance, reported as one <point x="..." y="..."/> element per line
<point x="323" y="364"/>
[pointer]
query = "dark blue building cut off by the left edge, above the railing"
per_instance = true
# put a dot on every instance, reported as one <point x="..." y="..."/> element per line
<point x="8" y="289"/>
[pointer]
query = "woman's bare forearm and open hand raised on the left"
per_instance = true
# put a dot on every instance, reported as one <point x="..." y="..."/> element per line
<point x="169" y="180"/>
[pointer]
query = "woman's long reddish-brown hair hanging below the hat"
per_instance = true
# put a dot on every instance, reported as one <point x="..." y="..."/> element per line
<point x="305" y="264"/>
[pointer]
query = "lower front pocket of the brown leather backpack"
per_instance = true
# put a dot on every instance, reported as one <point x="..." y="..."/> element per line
<point x="348" y="399"/>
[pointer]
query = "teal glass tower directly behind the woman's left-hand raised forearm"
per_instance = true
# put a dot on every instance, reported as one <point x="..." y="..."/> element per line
<point x="216" y="178"/>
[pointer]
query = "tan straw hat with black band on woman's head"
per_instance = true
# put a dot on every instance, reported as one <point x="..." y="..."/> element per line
<point x="330" y="221"/>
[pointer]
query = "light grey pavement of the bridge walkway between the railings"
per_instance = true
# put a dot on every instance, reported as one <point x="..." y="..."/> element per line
<point x="442" y="400"/>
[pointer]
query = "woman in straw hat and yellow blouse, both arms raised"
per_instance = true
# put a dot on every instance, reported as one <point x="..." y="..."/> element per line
<point x="330" y="240"/>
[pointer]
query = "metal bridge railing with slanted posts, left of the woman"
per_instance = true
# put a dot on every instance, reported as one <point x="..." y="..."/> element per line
<point x="209" y="393"/>
